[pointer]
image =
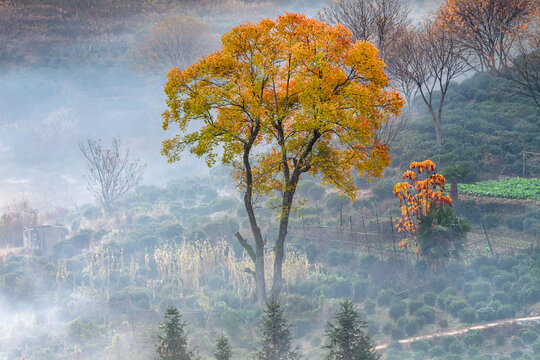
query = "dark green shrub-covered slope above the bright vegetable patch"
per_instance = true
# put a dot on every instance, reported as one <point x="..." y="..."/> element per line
<point x="486" y="125"/>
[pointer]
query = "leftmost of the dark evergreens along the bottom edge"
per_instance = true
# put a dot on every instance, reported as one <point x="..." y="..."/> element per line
<point x="172" y="337"/>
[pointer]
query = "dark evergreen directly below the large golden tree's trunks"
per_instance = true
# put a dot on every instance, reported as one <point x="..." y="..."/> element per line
<point x="276" y="338"/>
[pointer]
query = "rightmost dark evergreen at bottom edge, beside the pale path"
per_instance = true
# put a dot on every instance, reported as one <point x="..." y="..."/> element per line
<point x="346" y="339"/>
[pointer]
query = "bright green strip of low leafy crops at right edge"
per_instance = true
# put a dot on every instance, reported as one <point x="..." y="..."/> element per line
<point x="512" y="188"/>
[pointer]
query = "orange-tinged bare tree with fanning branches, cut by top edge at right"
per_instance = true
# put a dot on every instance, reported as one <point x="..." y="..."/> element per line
<point x="487" y="27"/>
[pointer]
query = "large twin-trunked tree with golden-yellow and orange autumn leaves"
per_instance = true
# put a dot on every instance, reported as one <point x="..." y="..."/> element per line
<point x="281" y="99"/>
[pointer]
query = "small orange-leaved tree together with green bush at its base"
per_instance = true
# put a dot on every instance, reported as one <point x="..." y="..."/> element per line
<point x="426" y="214"/>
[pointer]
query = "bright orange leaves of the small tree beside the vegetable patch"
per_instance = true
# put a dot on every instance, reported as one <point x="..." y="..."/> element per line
<point x="417" y="197"/>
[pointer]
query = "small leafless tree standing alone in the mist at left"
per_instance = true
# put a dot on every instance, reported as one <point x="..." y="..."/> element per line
<point x="110" y="171"/>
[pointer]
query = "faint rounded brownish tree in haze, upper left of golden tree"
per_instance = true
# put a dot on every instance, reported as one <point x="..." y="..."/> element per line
<point x="174" y="42"/>
